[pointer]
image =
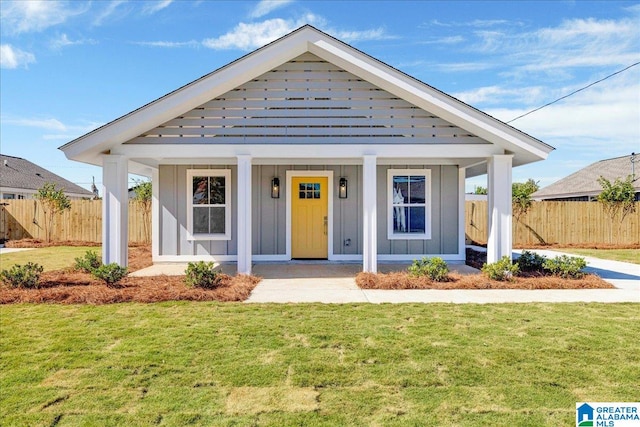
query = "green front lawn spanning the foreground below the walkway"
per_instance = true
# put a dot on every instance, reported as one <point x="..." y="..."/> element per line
<point x="181" y="363"/>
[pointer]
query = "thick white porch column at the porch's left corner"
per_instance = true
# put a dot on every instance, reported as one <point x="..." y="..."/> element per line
<point x="115" y="210"/>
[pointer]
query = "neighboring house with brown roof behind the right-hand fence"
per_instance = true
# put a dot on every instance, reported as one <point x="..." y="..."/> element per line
<point x="583" y="185"/>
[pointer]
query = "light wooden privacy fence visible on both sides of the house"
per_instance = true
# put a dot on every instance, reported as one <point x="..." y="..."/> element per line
<point x="546" y="222"/>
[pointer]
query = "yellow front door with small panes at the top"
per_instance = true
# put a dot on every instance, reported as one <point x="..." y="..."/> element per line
<point x="309" y="217"/>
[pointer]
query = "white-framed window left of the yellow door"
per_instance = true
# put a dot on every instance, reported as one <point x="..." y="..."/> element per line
<point x="209" y="204"/>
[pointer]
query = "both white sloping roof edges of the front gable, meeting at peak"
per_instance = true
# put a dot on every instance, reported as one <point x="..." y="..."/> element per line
<point x="88" y="148"/>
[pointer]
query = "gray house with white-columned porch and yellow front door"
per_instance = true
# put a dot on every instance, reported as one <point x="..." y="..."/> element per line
<point x="306" y="148"/>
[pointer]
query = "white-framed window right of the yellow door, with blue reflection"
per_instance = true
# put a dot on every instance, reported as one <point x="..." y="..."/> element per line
<point x="409" y="203"/>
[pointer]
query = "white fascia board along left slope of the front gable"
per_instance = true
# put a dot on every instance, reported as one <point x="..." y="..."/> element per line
<point x="172" y="105"/>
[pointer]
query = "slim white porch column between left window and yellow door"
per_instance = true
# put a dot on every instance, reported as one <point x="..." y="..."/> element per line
<point x="244" y="214"/>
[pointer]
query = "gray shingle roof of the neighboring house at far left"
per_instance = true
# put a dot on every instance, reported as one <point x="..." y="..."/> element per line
<point x="22" y="174"/>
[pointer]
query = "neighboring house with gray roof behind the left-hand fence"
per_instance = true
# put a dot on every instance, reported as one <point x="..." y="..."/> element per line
<point x="21" y="179"/>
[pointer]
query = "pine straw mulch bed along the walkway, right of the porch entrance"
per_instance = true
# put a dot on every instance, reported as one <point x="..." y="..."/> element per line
<point x="403" y="280"/>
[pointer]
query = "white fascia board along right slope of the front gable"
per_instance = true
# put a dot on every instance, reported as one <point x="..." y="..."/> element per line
<point x="429" y="99"/>
